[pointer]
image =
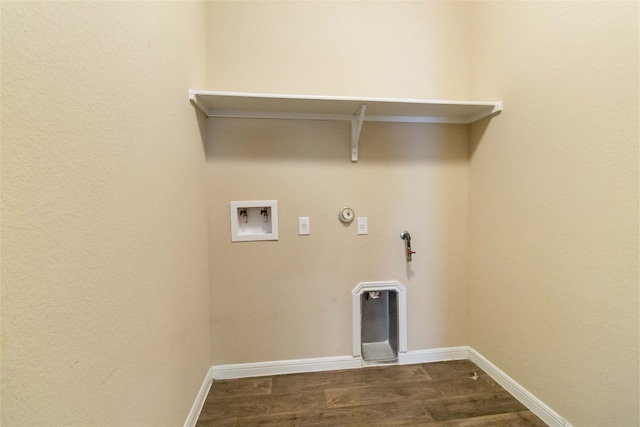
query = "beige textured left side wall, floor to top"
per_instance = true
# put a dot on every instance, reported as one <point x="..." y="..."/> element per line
<point x="104" y="265"/>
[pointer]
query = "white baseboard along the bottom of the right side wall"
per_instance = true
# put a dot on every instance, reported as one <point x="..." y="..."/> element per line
<point x="534" y="404"/>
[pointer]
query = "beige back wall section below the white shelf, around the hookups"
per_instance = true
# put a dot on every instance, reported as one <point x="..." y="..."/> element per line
<point x="291" y="298"/>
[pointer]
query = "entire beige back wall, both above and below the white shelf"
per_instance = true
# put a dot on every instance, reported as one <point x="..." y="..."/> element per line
<point x="291" y="299"/>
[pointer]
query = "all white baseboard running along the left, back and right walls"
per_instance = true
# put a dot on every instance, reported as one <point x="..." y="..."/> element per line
<point x="242" y="370"/>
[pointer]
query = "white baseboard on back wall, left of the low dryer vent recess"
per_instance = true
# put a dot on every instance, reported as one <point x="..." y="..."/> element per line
<point x="260" y="369"/>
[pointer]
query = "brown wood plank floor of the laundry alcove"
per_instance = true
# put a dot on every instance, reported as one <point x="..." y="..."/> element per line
<point x="429" y="394"/>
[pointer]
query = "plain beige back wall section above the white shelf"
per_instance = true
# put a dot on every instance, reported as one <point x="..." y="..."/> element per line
<point x="380" y="49"/>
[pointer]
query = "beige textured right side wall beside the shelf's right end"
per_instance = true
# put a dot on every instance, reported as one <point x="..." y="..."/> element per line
<point x="554" y="204"/>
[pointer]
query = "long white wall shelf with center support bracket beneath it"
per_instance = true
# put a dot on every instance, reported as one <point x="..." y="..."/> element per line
<point x="355" y="110"/>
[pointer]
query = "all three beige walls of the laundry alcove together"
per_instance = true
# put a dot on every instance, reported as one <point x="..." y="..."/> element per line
<point x="527" y="238"/>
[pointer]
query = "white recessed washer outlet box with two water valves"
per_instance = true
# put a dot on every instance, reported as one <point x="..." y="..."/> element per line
<point x="254" y="220"/>
